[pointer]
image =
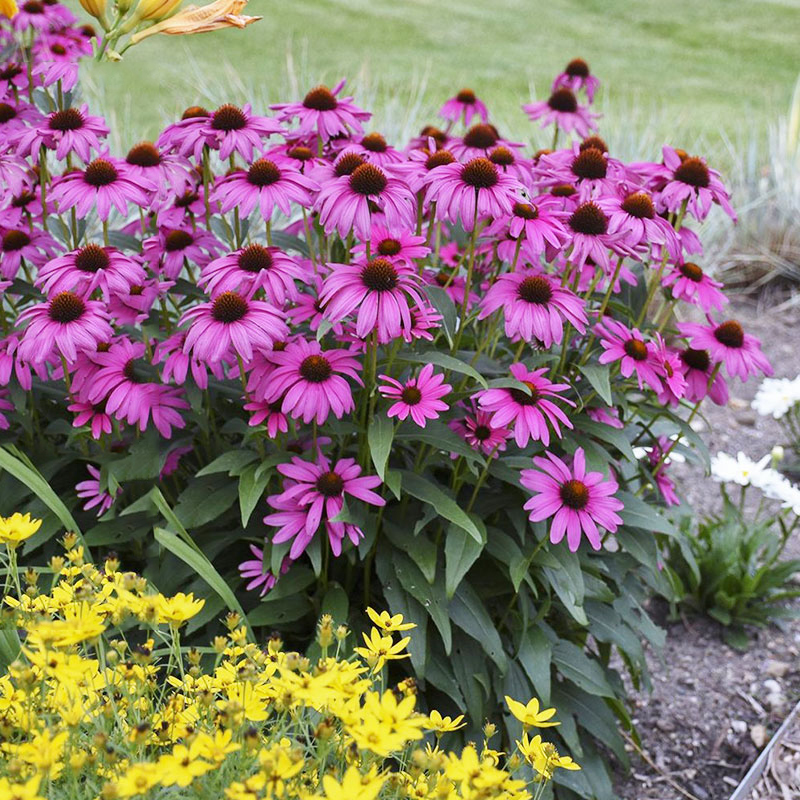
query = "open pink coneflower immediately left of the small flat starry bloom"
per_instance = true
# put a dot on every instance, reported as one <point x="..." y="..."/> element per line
<point x="309" y="381"/>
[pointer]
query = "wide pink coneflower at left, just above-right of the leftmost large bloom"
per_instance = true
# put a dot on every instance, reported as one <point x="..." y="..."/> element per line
<point x="89" y="268"/>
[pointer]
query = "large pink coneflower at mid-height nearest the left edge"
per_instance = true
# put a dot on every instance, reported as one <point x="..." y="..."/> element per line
<point x="64" y="325"/>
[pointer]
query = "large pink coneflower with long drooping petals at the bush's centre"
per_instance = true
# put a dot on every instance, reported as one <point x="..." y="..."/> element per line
<point x="379" y="291"/>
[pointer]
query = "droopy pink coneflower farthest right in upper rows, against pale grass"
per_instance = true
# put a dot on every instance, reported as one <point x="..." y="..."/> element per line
<point x="688" y="180"/>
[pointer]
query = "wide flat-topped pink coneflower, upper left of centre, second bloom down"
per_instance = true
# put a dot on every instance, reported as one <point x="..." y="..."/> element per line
<point x="267" y="184"/>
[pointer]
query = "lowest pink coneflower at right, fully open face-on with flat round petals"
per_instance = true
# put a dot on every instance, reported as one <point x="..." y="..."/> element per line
<point x="575" y="500"/>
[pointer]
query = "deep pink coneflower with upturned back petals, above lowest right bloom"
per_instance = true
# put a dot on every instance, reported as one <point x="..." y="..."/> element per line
<point x="529" y="413"/>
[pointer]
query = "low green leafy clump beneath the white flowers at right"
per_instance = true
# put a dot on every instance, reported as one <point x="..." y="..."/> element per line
<point x="730" y="568"/>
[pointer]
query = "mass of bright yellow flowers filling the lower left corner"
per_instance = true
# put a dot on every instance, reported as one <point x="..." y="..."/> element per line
<point x="103" y="699"/>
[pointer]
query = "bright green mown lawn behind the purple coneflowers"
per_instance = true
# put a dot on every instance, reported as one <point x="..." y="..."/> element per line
<point x="713" y="69"/>
